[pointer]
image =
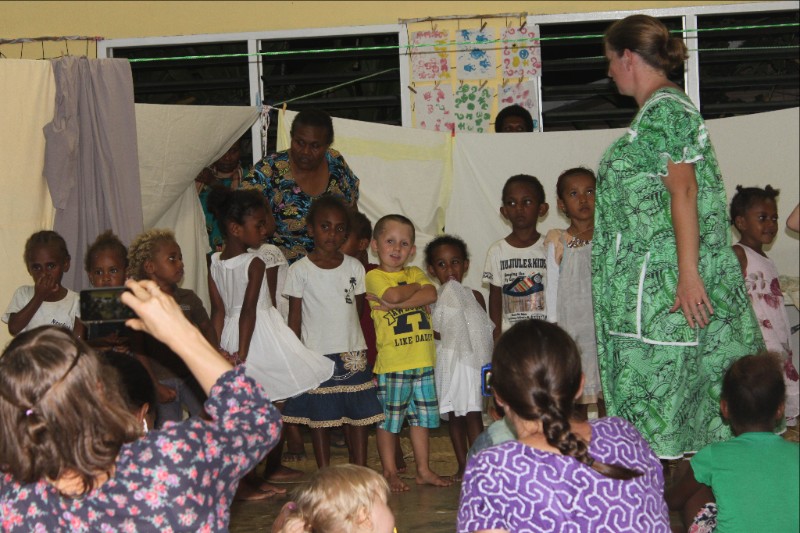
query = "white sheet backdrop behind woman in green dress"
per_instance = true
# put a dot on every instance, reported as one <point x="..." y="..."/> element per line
<point x="752" y="150"/>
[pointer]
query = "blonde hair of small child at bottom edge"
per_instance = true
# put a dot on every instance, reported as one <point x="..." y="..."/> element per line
<point x="339" y="498"/>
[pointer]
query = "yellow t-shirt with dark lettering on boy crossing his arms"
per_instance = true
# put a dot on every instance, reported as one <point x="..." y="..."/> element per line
<point x="404" y="337"/>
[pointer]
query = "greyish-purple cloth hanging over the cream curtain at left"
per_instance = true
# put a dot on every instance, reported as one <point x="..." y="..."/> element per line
<point x="91" y="161"/>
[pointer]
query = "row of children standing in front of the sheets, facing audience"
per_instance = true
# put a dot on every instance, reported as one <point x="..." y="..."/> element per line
<point x="430" y="344"/>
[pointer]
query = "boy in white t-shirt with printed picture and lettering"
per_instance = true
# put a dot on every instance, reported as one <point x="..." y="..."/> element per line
<point x="516" y="268"/>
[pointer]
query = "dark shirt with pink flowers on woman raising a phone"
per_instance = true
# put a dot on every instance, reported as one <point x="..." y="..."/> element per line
<point x="181" y="478"/>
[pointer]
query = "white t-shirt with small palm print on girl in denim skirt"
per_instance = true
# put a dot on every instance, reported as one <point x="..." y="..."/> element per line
<point x="330" y="321"/>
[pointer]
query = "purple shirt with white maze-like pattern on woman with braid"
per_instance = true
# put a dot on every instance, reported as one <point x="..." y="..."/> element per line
<point x="517" y="488"/>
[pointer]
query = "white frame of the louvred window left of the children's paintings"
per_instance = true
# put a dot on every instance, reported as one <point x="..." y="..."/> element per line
<point x="105" y="49"/>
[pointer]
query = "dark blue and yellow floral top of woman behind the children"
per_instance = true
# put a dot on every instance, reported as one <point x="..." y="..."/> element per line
<point x="273" y="177"/>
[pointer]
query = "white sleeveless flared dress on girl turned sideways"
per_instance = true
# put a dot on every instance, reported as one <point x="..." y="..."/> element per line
<point x="276" y="359"/>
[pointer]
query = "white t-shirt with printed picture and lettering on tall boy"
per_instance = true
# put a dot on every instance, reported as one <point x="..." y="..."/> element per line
<point x="521" y="274"/>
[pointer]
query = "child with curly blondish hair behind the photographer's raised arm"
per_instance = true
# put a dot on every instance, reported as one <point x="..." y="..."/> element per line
<point x="156" y="255"/>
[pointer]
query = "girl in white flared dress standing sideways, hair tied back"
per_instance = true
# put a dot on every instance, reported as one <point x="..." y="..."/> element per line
<point x="243" y="313"/>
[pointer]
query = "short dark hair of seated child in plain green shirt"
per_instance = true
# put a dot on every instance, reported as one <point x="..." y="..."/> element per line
<point x="754" y="388"/>
